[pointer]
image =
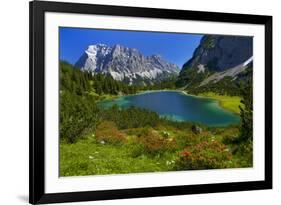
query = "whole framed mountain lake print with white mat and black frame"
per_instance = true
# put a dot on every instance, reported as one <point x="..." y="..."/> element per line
<point x="140" y="102"/>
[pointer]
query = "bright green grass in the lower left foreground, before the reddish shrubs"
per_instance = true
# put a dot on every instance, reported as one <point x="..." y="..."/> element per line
<point x="90" y="158"/>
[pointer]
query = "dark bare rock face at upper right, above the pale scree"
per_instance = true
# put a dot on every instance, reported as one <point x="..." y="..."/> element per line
<point x="219" y="53"/>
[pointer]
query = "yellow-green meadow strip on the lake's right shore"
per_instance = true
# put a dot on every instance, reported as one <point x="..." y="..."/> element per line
<point x="230" y="103"/>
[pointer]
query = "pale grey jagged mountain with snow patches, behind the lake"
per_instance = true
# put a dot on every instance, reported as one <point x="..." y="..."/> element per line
<point x="125" y="64"/>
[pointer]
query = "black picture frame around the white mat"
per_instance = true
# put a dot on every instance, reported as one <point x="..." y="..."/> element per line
<point x="37" y="10"/>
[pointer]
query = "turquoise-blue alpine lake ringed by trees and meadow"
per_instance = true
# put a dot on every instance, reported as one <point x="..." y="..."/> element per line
<point x="178" y="106"/>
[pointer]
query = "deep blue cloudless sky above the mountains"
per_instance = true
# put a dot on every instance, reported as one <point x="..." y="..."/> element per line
<point x="174" y="47"/>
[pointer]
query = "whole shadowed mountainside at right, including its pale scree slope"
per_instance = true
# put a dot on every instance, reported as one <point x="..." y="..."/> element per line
<point x="217" y="58"/>
